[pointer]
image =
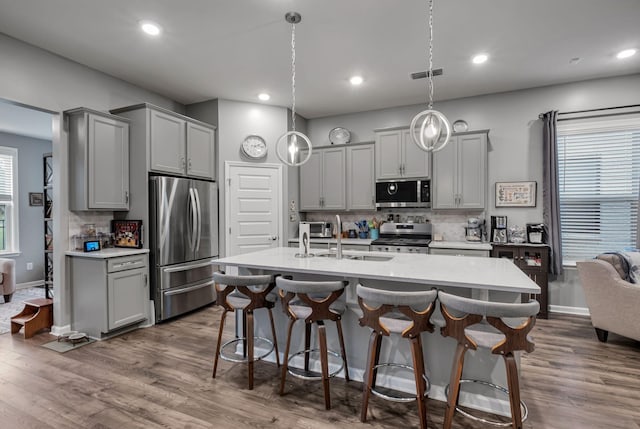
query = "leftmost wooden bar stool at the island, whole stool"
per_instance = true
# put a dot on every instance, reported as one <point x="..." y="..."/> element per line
<point x="247" y="294"/>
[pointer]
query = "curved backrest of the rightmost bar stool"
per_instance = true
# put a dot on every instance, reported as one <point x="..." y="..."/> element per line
<point x="460" y="313"/>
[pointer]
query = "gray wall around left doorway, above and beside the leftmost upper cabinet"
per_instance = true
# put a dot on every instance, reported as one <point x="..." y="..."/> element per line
<point x="35" y="77"/>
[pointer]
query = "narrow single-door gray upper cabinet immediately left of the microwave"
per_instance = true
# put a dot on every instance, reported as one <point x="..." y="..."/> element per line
<point x="361" y="177"/>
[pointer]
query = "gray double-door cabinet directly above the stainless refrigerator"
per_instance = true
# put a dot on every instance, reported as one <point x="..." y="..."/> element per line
<point x="176" y="144"/>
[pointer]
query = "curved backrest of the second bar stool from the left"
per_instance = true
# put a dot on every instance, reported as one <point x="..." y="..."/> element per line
<point x="316" y="295"/>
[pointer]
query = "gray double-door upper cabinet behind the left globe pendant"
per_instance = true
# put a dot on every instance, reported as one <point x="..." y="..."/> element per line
<point x="322" y="180"/>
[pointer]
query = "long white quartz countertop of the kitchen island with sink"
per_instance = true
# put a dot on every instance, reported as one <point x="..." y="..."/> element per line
<point x="431" y="270"/>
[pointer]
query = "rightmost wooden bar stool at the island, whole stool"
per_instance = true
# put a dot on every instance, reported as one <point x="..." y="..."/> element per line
<point x="464" y="318"/>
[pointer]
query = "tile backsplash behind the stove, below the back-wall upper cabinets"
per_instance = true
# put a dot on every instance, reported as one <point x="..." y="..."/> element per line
<point x="449" y="225"/>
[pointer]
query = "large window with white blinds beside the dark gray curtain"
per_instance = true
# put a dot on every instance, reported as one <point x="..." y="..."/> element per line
<point x="599" y="177"/>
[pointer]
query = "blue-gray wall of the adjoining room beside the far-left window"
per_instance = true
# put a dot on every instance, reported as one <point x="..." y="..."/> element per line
<point x="30" y="223"/>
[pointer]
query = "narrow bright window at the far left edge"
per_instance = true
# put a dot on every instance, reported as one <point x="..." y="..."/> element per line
<point x="8" y="200"/>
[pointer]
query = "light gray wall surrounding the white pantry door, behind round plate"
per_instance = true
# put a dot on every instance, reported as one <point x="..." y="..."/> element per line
<point x="235" y="121"/>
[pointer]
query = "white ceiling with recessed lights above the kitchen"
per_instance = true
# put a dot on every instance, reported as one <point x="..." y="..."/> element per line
<point x="237" y="49"/>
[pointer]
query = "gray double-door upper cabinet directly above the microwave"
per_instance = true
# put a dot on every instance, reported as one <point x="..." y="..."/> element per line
<point x="397" y="156"/>
